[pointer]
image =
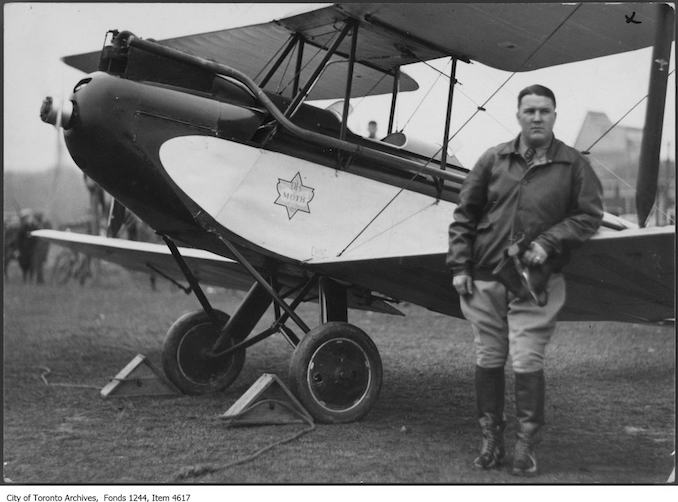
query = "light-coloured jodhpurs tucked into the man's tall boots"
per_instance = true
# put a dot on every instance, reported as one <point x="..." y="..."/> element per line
<point x="503" y="324"/>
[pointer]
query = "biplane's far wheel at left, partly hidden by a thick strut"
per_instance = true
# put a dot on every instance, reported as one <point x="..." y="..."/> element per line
<point x="185" y="357"/>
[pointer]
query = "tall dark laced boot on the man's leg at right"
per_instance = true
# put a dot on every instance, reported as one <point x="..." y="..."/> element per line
<point x="530" y="390"/>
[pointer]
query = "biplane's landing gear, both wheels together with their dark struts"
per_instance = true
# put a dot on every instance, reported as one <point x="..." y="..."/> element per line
<point x="335" y="370"/>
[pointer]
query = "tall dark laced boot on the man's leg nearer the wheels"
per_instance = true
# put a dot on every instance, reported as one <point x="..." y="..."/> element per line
<point x="490" y="403"/>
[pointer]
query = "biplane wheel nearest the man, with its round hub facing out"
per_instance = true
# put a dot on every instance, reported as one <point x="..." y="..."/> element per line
<point x="336" y="372"/>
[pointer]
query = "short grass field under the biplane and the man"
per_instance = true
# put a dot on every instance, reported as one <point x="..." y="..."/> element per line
<point x="610" y="400"/>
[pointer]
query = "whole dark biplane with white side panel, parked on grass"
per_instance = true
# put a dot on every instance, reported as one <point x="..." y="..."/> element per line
<point x="252" y="187"/>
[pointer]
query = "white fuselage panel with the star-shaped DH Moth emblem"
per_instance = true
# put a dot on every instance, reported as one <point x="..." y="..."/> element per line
<point x="303" y="210"/>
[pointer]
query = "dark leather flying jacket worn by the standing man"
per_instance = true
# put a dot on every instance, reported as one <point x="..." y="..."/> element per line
<point x="556" y="204"/>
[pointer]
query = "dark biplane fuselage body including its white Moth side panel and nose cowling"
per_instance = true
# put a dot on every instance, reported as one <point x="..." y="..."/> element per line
<point x="169" y="155"/>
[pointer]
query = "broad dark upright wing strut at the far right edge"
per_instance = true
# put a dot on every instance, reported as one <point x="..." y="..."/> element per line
<point x="648" y="168"/>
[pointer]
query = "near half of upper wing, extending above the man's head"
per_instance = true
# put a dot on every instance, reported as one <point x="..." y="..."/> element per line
<point x="512" y="37"/>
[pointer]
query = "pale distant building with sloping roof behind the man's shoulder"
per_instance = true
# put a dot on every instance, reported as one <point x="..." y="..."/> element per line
<point x="615" y="159"/>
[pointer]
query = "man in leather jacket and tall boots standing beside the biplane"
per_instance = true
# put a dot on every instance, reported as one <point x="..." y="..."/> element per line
<point x="540" y="193"/>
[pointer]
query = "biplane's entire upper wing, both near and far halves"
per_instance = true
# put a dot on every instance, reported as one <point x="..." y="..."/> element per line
<point x="512" y="37"/>
